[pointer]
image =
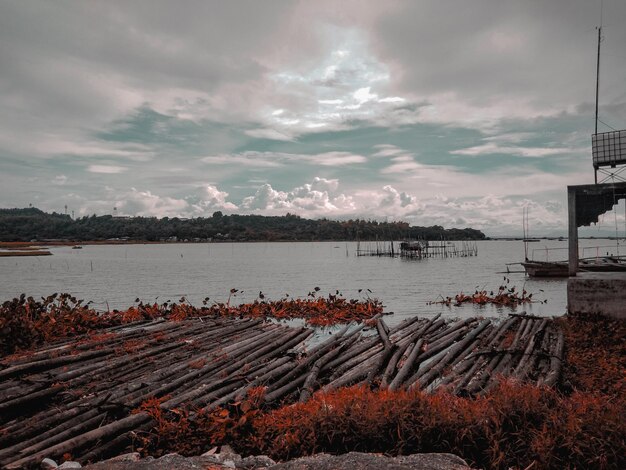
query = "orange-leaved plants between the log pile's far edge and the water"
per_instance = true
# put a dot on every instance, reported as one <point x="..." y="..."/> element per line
<point x="26" y="322"/>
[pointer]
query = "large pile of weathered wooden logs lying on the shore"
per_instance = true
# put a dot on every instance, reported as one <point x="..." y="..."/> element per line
<point x="79" y="396"/>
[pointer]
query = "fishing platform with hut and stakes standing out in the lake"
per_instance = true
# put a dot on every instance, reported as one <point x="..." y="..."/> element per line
<point x="418" y="249"/>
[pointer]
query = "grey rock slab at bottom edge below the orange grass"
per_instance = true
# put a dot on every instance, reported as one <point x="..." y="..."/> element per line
<point x="361" y="461"/>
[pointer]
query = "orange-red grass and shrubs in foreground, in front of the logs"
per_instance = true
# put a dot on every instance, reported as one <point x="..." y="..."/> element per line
<point x="513" y="426"/>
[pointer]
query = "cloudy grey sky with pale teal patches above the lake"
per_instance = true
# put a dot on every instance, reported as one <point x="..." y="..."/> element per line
<point x="456" y="113"/>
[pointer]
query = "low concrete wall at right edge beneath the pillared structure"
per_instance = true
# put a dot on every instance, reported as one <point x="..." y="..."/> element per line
<point x="603" y="293"/>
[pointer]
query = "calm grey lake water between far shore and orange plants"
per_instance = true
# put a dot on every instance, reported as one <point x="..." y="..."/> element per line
<point x="118" y="274"/>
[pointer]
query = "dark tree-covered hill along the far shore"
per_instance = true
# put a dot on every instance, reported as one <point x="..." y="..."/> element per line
<point x="34" y="224"/>
